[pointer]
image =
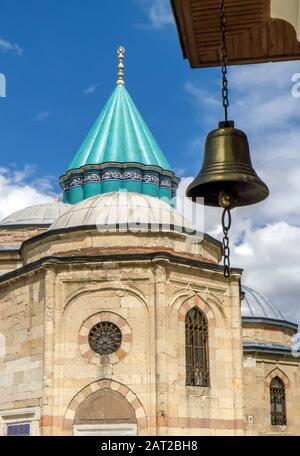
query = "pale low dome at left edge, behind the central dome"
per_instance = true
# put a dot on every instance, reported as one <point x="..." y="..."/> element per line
<point x="40" y="214"/>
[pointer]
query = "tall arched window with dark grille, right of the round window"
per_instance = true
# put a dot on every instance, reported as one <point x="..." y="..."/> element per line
<point x="196" y="348"/>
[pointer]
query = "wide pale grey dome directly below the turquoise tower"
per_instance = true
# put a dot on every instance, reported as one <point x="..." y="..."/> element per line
<point x="122" y="210"/>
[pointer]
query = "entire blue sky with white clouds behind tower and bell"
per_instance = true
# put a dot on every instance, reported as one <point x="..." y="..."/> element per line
<point x="59" y="58"/>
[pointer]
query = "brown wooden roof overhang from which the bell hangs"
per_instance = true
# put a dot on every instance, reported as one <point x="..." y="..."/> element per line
<point x="258" y="31"/>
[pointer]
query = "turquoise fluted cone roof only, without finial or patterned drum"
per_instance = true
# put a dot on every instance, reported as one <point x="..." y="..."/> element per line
<point x="120" y="135"/>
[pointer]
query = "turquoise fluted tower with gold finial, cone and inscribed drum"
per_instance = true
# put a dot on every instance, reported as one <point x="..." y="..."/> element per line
<point x="119" y="153"/>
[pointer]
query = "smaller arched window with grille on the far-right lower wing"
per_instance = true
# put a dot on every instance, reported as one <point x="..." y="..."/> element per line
<point x="278" y="405"/>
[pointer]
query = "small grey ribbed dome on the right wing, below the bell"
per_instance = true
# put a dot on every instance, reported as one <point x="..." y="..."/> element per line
<point x="254" y="305"/>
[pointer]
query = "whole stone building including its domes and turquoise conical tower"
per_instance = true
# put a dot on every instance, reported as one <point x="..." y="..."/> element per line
<point x="116" y="317"/>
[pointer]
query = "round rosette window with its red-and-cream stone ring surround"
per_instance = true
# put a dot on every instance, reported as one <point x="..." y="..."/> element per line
<point x="104" y="335"/>
